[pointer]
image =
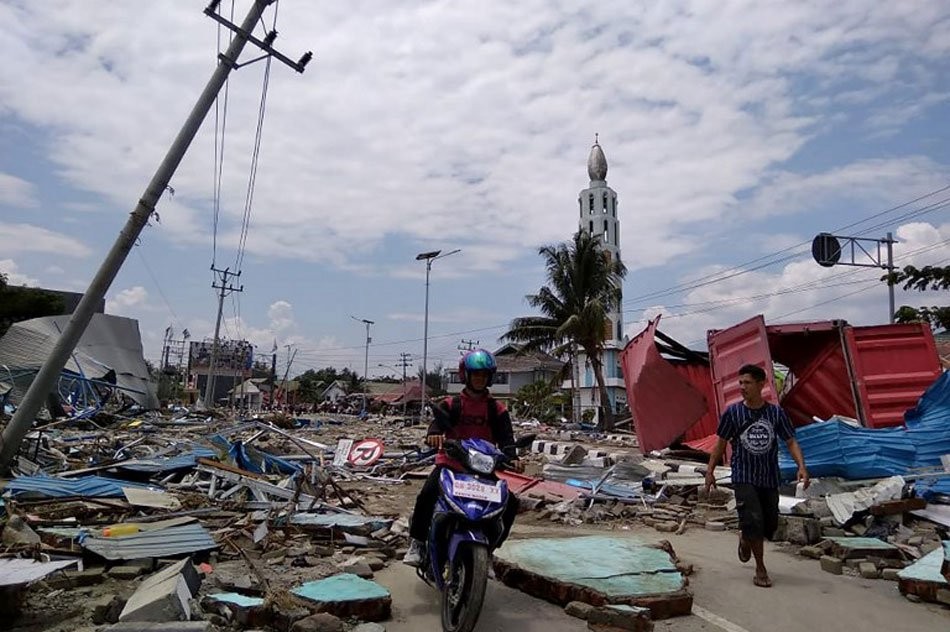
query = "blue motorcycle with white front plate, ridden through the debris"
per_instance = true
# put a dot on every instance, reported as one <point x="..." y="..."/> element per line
<point x="466" y="528"/>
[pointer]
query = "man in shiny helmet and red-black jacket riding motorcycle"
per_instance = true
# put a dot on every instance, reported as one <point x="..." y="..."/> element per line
<point x="474" y="414"/>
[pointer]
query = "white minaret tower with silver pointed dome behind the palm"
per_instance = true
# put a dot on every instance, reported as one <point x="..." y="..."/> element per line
<point x="597" y="209"/>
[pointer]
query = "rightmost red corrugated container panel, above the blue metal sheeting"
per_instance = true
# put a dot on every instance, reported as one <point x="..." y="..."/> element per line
<point x="894" y="365"/>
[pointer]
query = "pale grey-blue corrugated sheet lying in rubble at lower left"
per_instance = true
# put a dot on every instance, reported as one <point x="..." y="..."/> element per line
<point x="188" y="538"/>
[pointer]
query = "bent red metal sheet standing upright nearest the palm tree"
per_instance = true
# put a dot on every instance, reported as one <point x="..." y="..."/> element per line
<point x="664" y="405"/>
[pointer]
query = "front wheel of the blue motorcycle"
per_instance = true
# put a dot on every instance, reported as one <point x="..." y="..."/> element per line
<point x="464" y="593"/>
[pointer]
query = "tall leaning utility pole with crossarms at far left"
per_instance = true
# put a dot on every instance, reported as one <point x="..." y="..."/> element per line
<point x="42" y="384"/>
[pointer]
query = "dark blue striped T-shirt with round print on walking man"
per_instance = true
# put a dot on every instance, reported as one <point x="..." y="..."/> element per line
<point x="754" y="433"/>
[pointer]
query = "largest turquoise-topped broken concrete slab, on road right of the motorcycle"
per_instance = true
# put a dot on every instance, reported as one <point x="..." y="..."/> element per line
<point x="598" y="570"/>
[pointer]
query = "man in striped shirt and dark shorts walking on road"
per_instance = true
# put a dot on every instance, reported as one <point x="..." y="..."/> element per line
<point x="754" y="427"/>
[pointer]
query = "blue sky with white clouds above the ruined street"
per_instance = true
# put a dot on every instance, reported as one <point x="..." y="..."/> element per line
<point x="735" y="131"/>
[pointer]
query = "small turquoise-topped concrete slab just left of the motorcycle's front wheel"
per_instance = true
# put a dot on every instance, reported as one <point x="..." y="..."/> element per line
<point x="347" y="595"/>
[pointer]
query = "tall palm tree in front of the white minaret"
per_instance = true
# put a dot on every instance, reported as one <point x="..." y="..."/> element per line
<point x="583" y="288"/>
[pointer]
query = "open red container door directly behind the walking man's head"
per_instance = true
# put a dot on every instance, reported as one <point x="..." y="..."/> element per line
<point x="729" y="350"/>
